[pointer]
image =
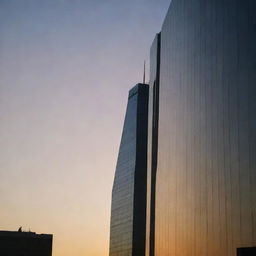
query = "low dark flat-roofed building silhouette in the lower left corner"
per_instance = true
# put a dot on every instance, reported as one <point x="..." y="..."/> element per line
<point x="25" y="244"/>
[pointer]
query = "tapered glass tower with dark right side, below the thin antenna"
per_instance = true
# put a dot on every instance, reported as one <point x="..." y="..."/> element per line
<point x="128" y="209"/>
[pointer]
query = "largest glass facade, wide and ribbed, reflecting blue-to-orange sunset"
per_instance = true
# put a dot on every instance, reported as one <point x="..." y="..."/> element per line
<point x="205" y="202"/>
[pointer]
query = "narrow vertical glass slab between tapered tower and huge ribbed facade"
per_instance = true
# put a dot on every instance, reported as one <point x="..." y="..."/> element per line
<point x="152" y="141"/>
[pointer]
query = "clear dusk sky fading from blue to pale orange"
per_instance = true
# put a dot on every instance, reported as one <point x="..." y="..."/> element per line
<point x="65" y="70"/>
